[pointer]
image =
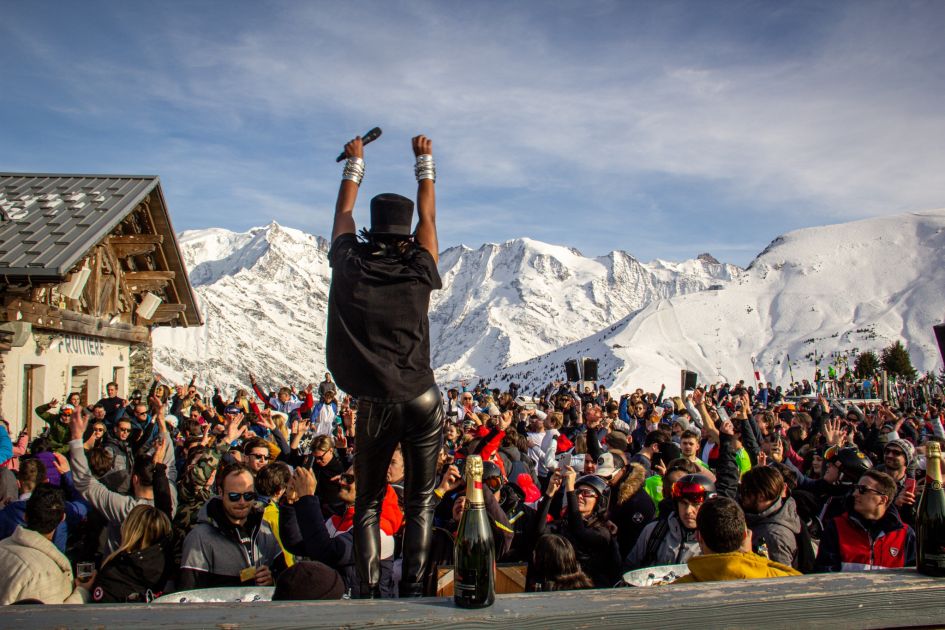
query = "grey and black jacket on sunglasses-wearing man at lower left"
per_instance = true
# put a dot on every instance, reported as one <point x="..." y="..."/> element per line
<point x="216" y="551"/>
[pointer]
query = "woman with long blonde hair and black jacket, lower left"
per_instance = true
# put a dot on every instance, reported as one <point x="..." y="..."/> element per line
<point x="141" y="566"/>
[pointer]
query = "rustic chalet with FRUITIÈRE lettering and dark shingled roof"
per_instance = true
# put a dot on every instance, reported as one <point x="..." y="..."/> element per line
<point x="89" y="264"/>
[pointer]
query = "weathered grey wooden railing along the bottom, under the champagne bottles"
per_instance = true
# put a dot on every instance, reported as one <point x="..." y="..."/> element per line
<point x="883" y="599"/>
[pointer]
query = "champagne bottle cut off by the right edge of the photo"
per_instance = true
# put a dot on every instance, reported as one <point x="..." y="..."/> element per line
<point x="930" y="516"/>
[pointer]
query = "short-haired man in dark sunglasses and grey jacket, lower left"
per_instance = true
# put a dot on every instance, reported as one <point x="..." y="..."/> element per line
<point x="231" y="544"/>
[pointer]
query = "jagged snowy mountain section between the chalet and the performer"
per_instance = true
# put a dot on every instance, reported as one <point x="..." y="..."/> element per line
<point x="263" y="295"/>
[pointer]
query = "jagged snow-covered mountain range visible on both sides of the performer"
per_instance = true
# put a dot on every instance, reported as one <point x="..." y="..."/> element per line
<point x="264" y="297"/>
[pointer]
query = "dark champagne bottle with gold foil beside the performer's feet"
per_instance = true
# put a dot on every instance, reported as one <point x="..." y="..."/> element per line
<point x="474" y="552"/>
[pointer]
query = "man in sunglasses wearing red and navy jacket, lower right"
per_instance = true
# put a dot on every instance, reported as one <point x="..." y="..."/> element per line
<point x="869" y="535"/>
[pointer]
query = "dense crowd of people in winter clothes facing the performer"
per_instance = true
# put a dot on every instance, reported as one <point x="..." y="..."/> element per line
<point x="168" y="490"/>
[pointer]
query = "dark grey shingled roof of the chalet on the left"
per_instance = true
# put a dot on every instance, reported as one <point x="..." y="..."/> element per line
<point x="48" y="222"/>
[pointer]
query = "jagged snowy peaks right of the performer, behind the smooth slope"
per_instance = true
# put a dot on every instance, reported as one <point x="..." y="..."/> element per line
<point x="507" y="303"/>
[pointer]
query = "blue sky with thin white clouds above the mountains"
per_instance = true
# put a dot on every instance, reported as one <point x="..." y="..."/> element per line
<point x="664" y="129"/>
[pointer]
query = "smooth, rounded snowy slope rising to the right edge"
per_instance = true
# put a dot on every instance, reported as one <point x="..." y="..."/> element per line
<point x="839" y="289"/>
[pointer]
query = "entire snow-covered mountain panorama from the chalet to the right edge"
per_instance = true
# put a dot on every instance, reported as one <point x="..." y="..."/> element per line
<point x="517" y="310"/>
